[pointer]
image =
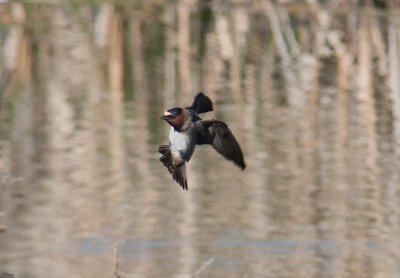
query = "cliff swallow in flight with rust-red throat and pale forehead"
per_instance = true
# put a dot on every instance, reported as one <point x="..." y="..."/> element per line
<point x="188" y="130"/>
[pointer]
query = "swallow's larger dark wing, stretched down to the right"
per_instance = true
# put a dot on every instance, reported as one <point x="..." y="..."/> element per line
<point x="217" y="134"/>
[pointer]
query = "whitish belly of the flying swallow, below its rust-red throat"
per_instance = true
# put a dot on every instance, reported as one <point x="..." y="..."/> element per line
<point x="182" y="144"/>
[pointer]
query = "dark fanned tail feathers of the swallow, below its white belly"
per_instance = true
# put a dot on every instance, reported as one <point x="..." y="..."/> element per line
<point x="178" y="172"/>
